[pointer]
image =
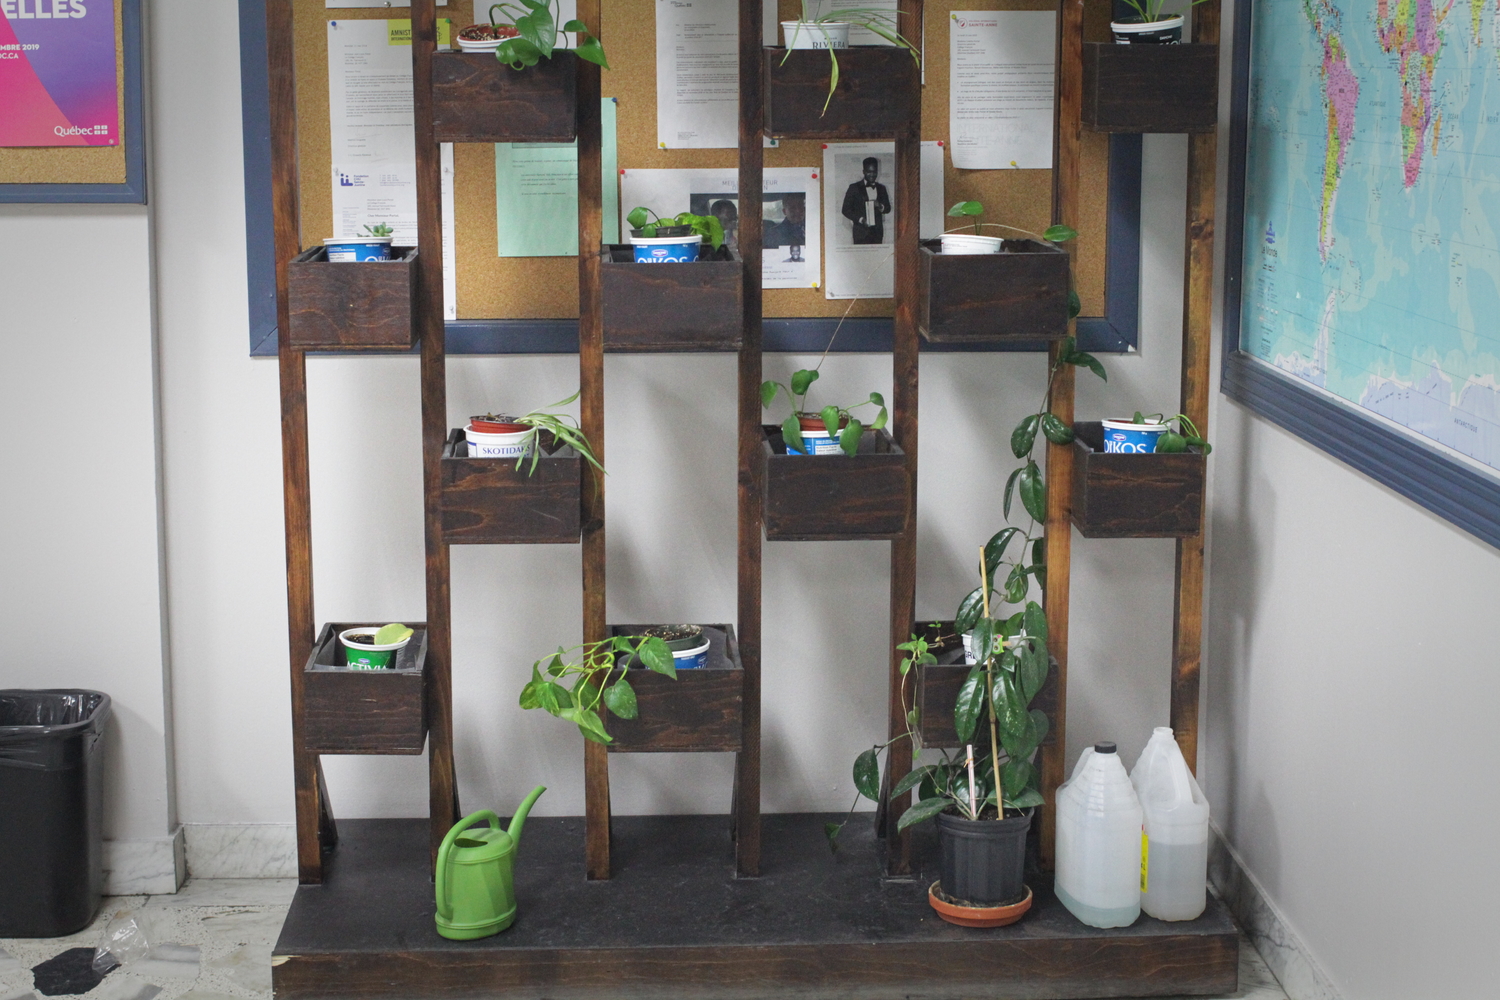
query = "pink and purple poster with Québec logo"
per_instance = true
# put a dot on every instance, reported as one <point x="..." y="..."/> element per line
<point x="58" y="74"/>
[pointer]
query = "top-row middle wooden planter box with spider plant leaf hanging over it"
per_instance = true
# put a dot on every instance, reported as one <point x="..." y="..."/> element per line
<point x="878" y="98"/>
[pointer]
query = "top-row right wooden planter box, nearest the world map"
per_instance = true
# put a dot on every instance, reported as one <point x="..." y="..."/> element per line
<point x="1150" y="88"/>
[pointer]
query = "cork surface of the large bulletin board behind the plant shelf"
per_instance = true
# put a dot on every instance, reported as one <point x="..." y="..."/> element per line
<point x="547" y="289"/>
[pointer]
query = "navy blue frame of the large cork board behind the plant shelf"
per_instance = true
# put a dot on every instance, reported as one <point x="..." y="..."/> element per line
<point x="1115" y="332"/>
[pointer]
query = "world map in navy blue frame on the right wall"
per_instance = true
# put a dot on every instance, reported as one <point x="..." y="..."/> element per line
<point x="1363" y="275"/>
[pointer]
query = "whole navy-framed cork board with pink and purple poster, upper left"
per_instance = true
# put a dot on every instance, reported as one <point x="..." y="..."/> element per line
<point x="71" y="98"/>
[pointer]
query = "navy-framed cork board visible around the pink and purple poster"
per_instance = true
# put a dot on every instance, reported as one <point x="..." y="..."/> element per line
<point x="98" y="175"/>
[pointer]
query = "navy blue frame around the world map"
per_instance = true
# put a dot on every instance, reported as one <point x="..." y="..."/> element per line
<point x="1405" y="463"/>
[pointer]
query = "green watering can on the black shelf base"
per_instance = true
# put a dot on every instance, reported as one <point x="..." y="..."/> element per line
<point x="476" y="875"/>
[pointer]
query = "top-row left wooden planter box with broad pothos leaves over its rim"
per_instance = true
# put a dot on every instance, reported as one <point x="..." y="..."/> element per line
<point x="479" y="100"/>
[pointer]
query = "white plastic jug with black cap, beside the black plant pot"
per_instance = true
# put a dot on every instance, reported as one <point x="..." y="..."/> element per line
<point x="1099" y="842"/>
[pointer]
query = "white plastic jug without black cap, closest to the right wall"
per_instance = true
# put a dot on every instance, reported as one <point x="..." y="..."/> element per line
<point x="1175" y="858"/>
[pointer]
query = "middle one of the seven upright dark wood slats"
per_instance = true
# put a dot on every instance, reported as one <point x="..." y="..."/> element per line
<point x="751" y="509"/>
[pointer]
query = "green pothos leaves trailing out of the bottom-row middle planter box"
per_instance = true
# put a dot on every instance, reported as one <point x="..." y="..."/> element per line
<point x="598" y="678"/>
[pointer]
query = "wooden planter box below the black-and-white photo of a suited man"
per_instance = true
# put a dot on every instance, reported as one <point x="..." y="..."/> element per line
<point x="835" y="497"/>
